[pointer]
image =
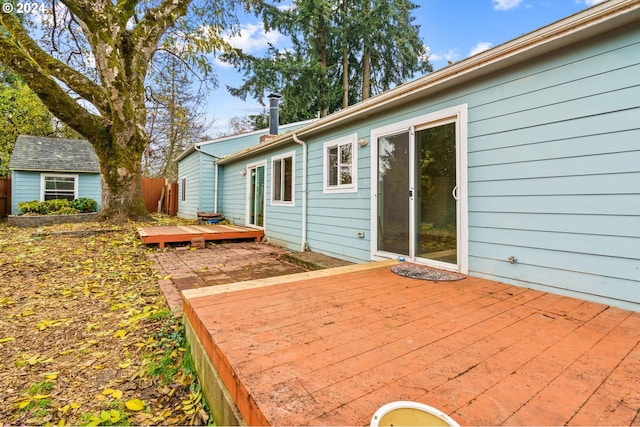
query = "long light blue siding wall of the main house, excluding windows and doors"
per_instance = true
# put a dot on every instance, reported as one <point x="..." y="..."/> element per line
<point x="553" y="174"/>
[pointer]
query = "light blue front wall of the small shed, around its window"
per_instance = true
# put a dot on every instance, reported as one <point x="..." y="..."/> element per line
<point x="25" y="187"/>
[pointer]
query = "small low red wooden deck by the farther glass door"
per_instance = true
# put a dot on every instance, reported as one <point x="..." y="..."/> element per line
<point x="184" y="233"/>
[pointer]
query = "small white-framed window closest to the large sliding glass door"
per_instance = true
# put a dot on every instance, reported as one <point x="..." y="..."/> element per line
<point x="340" y="165"/>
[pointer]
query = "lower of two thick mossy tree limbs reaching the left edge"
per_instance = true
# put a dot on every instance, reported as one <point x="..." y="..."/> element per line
<point x="54" y="97"/>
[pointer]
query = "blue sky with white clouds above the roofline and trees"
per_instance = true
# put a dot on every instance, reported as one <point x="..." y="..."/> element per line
<point x="452" y="29"/>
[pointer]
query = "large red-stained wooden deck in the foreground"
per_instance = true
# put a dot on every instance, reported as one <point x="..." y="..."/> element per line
<point x="330" y="347"/>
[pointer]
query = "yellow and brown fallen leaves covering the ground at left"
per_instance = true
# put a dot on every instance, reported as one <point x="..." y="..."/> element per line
<point x="86" y="337"/>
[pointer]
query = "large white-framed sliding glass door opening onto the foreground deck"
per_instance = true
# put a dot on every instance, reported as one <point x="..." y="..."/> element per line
<point x="417" y="199"/>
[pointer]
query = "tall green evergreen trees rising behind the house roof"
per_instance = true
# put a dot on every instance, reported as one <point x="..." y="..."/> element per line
<point x="343" y="51"/>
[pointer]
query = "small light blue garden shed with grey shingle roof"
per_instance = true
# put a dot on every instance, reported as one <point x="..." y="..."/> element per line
<point x="53" y="168"/>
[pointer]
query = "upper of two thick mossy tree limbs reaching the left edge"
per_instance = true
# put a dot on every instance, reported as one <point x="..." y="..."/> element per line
<point x="76" y="81"/>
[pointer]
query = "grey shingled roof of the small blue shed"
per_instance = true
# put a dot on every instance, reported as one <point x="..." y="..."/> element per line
<point x="36" y="153"/>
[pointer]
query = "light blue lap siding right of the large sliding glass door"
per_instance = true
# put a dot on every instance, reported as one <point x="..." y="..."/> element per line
<point x="554" y="176"/>
